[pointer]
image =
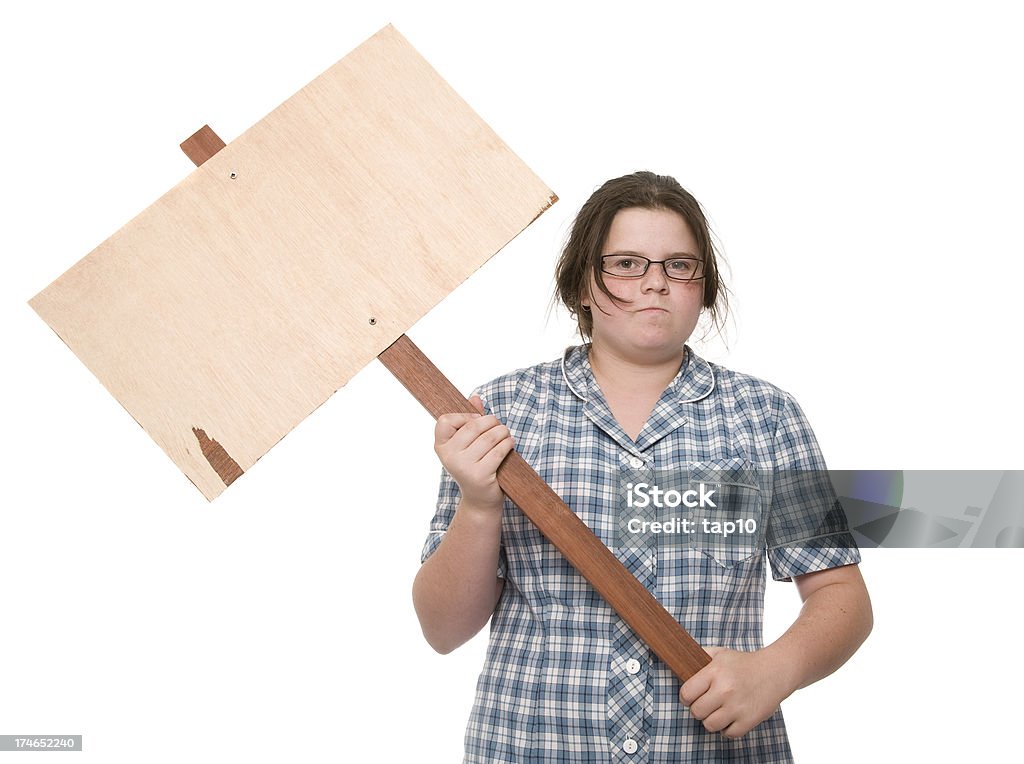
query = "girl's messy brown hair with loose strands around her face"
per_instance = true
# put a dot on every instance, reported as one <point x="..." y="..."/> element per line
<point x="582" y="254"/>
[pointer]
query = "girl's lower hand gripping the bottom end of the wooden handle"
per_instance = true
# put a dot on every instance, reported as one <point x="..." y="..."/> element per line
<point x="736" y="692"/>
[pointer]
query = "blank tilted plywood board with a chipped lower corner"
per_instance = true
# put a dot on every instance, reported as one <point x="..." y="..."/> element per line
<point x="242" y="300"/>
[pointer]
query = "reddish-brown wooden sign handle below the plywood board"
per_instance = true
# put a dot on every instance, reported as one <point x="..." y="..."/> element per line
<point x="561" y="525"/>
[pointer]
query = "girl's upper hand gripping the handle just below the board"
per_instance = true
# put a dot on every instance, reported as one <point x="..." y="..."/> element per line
<point x="472" y="447"/>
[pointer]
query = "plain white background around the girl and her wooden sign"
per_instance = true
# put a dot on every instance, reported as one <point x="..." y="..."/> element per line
<point x="862" y="166"/>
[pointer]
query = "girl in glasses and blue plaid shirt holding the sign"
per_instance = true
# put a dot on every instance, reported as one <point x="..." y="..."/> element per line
<point x="566" y="680"/>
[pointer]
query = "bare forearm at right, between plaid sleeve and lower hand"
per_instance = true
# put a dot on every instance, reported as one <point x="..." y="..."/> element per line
<point x="834" y="622"/>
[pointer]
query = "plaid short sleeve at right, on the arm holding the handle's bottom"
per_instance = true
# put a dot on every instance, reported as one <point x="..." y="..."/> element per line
<point x="807" y="528"/>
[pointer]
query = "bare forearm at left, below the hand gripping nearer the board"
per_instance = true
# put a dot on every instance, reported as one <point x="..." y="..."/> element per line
<point x="456" y="590"/>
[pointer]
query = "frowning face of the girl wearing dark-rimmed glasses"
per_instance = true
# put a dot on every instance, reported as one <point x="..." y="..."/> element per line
<point x="662" y="313"/>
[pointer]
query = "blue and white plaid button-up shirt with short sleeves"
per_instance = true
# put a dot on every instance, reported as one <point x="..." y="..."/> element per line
<point x="566" y="680"/>
